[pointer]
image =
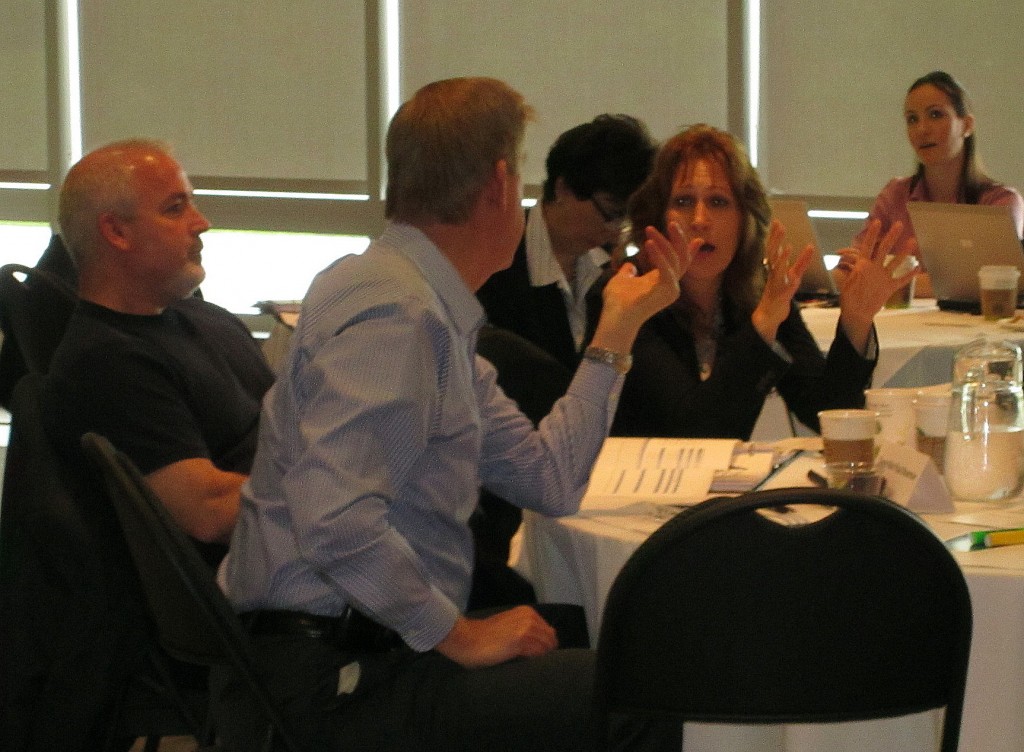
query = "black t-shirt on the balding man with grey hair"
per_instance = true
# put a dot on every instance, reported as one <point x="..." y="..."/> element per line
<point x="185" y="385"/>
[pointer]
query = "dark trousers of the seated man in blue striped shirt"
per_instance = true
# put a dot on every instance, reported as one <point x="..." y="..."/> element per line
<point x="410" y="702"/>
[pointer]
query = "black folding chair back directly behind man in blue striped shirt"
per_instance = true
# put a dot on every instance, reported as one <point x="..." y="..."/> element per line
<point x="191" y="615"/>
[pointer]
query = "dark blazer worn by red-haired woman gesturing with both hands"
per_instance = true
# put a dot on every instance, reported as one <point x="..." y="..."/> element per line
<point x="665" y="397"/>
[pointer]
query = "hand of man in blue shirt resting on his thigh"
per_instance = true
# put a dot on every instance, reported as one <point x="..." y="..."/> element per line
<point x="515" y="634"/>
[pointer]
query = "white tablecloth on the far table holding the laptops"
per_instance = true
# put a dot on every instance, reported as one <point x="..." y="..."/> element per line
<point x="916" y="349"/>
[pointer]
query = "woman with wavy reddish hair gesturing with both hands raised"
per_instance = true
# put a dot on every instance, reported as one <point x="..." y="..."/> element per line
<point x="704" y="366"/>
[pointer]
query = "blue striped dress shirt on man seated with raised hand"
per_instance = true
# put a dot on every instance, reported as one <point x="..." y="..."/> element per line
<point x="374" y="442"/>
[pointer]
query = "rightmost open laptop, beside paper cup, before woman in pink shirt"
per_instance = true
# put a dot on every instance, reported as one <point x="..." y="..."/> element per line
<point x="956" y="241"/>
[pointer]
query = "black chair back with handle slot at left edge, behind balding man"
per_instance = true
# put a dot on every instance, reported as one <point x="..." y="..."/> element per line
<point x="35" y="308"/>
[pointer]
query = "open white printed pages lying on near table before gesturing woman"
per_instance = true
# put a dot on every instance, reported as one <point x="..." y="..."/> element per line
<point x="635" y="472"/>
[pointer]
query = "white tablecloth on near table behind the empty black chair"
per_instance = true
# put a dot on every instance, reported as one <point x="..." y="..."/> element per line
<point x="576" y="560"/>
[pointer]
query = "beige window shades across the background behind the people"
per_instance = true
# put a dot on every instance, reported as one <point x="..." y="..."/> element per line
<point x="289" y="94"/>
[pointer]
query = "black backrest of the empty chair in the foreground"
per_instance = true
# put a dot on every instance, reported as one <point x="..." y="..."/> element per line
<point x="726" y="615"/>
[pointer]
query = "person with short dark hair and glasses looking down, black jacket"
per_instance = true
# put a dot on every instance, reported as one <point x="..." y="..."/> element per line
<point x="542" y="311"/>
